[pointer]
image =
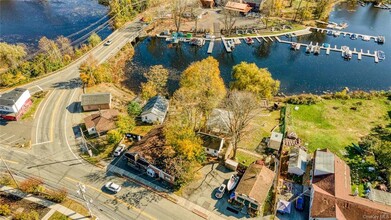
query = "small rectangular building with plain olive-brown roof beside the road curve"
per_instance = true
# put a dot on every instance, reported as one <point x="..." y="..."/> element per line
<point x="96" y="101"/>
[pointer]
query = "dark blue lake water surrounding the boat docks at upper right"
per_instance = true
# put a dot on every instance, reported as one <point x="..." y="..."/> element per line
<point x="298" y="72"/>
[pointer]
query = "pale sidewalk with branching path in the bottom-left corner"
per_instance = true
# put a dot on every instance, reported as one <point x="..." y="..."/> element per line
<point x="53" y="206"/>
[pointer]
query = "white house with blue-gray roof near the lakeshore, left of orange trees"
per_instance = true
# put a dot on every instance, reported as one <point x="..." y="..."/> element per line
<point x="155" y="110"/>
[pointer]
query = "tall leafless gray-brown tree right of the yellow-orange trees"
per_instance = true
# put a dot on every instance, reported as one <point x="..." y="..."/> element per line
<point x="241" y="107"/>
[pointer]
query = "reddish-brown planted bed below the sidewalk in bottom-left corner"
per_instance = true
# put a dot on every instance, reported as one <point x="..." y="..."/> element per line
<point x="22" y="205"/>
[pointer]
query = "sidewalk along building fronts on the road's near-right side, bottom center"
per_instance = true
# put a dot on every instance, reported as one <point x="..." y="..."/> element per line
<point x="196" y="209"/>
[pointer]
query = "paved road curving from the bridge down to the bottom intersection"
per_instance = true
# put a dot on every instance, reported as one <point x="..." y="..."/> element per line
<point x="53" y="156"/>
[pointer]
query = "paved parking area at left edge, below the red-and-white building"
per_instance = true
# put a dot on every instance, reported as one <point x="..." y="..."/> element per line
<point x="15" y="133"/>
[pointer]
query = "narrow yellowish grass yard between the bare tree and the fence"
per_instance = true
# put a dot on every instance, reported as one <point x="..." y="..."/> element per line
<point x="260" y="127"/>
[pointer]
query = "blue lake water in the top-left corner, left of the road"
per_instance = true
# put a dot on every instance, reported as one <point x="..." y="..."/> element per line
<point x="26" y="21"/>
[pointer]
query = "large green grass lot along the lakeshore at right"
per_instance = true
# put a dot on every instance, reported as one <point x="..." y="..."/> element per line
<point x="334" y="124"/>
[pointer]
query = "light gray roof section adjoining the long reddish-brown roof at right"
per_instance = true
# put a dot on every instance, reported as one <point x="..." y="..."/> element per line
<point x="324" y="162"/>
